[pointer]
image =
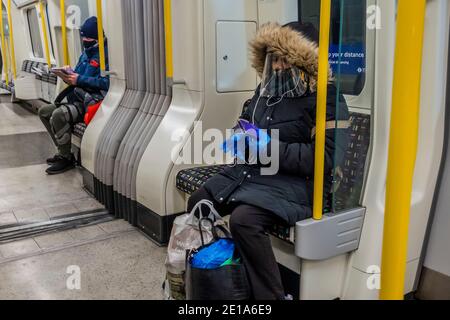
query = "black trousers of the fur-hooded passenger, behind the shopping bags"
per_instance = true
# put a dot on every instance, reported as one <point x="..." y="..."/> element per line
<point x="248" y="225"/>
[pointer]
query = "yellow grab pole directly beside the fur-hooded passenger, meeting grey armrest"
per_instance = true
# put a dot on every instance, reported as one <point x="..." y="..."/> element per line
<point x="322" y="91"/>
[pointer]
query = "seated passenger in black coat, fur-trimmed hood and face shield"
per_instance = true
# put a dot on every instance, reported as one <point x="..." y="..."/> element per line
<point x="286" y="59"/>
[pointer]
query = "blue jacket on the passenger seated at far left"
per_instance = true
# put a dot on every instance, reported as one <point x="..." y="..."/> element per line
<point x="89" y="71"/>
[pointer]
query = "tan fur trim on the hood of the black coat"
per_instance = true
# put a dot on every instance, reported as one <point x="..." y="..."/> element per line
<point x="289" y="44"/>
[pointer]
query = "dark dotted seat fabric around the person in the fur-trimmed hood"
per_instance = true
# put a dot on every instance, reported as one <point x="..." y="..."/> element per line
<point x="350" y="187"/>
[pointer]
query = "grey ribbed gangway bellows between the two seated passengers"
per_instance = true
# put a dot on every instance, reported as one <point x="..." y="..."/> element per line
<point x="135" y="121"/>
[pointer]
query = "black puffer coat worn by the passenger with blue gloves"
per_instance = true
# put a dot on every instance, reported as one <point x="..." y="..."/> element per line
<point x="289" y="193"/>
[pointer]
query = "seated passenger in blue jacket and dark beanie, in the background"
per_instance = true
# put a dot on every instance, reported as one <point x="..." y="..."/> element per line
<point x="86" y="83"/>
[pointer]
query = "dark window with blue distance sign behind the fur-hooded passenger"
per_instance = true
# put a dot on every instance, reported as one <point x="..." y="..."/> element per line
<point x="352" y="48"/>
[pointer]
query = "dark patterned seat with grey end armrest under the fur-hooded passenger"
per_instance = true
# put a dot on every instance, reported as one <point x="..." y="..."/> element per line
<point x="347" y="223"/>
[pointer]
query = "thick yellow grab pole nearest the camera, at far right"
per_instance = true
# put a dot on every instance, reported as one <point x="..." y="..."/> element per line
<point x="402" y="146"/>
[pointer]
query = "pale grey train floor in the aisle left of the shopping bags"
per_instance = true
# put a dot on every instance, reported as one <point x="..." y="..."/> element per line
<point x="105" y="259"/>
